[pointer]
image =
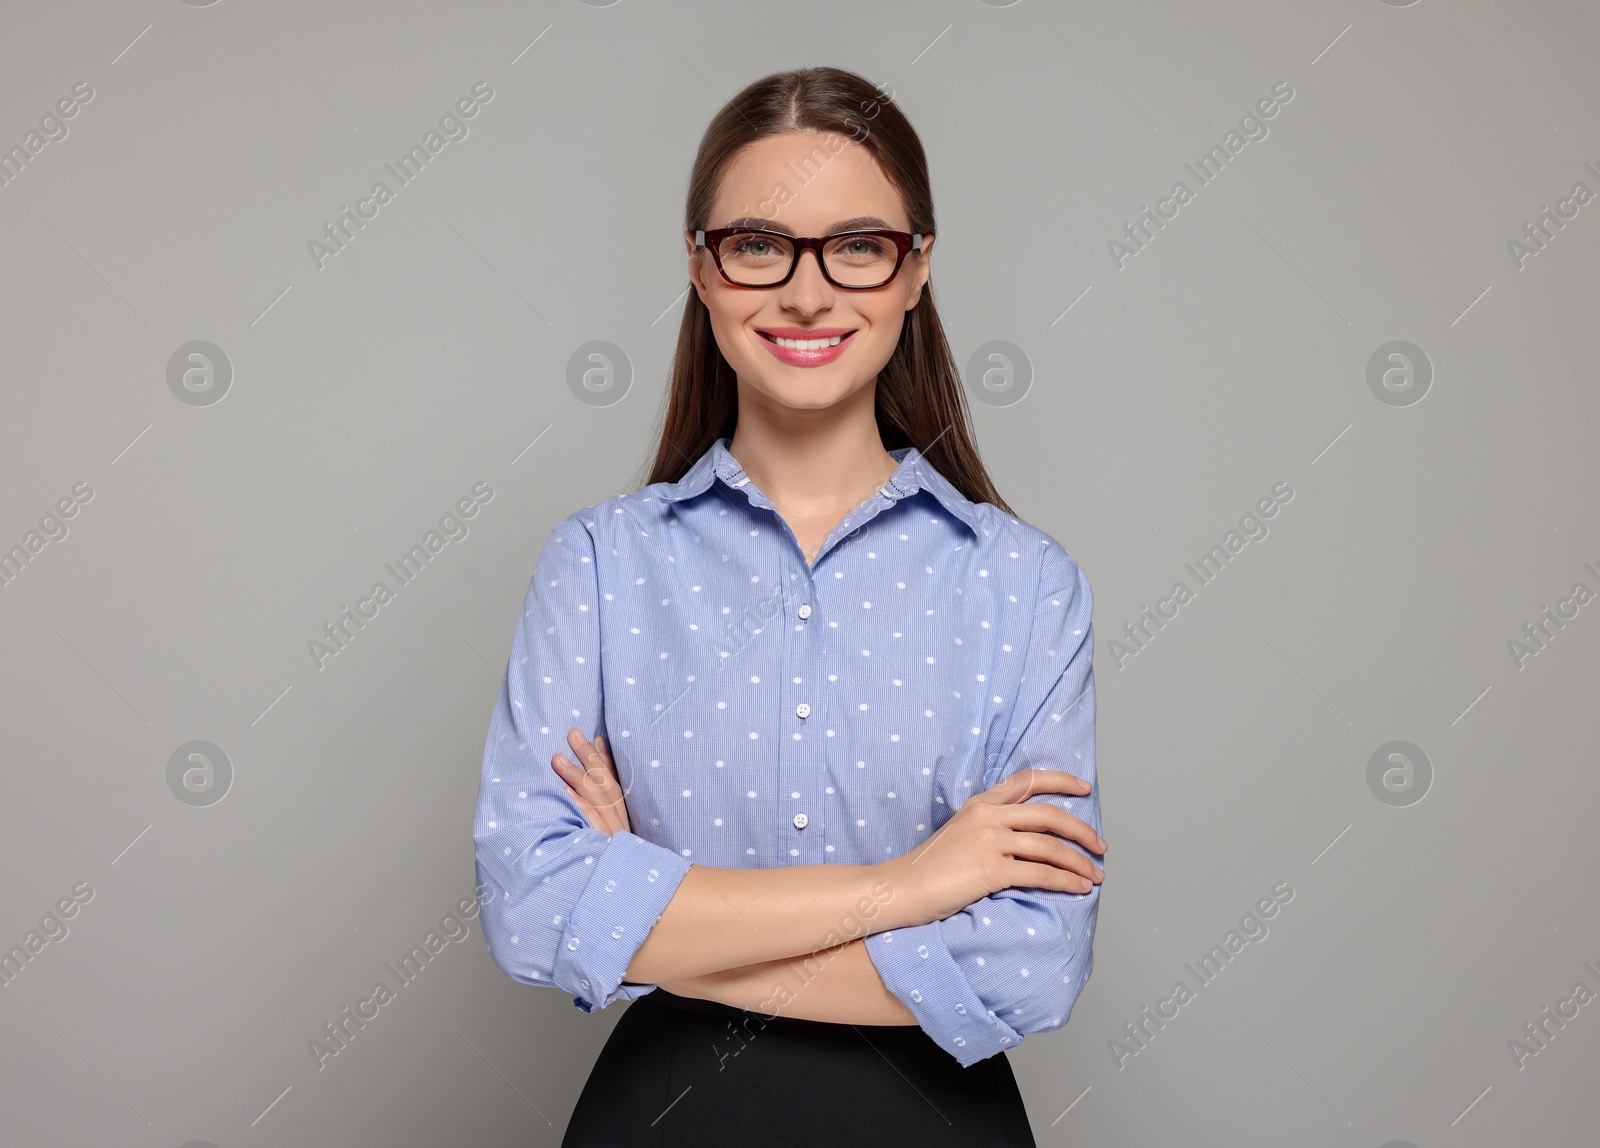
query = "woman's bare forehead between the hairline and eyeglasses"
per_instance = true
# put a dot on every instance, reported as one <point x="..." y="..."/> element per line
<point x="809" y="181"/>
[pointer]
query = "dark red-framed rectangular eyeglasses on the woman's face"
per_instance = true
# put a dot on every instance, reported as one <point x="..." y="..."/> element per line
<point x="855" y="261"/>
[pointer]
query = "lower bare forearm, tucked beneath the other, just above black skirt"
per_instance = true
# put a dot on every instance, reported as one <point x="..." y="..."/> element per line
<point x="839" y="986"/>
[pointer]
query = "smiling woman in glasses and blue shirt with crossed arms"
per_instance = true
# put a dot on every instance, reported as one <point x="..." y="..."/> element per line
<point x="847" y="695"/>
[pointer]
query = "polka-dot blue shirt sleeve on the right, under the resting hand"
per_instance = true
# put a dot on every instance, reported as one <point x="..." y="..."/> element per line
<point x="1017" y="962"/>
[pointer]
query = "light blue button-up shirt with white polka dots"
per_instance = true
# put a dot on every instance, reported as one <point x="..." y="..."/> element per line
<point x="764" y="712"/>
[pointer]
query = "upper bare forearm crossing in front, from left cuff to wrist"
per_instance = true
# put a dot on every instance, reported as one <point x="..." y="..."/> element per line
<point x="727" y="919"/>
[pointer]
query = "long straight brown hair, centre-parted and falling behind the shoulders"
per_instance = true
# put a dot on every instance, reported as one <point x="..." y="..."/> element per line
<point x="921" y="401"/>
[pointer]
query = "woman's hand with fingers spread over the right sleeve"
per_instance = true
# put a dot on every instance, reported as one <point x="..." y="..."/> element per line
<point x="998" y="840"/>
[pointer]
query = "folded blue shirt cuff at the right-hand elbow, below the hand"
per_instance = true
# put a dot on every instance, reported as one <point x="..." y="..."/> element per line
<point x="918" y="967"/>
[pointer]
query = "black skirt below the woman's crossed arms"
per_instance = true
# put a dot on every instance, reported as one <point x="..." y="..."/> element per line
<point x="682" y="1072"/>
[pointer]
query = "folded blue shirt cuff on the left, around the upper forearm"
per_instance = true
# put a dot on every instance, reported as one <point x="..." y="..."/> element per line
<point x="620" y="906"/>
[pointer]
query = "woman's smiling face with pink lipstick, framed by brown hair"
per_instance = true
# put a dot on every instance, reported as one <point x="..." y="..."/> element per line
<point x="807" y="183"/>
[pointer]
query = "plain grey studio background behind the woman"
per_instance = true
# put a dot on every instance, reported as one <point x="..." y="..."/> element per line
<point x="1166" y="399"/>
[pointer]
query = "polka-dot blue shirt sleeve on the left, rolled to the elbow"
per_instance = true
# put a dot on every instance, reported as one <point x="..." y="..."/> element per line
<point x="564" y="904"/>
